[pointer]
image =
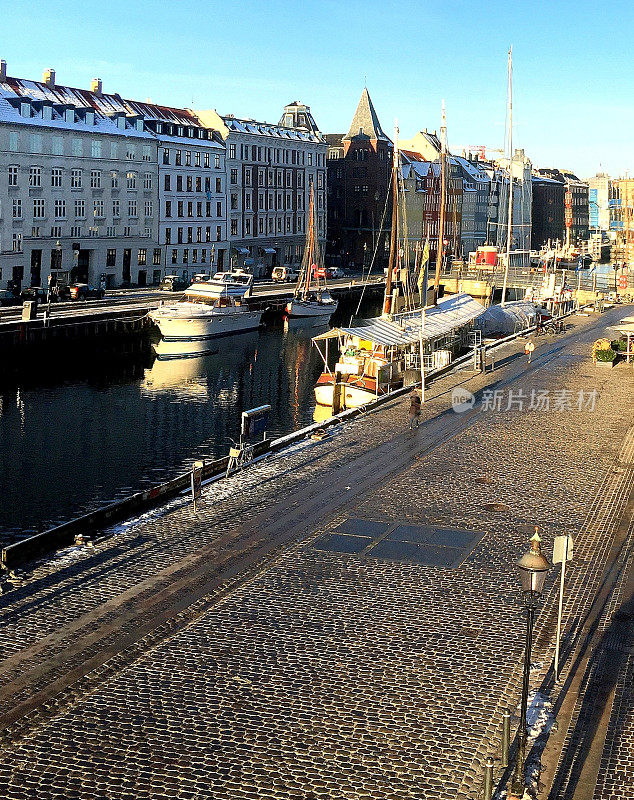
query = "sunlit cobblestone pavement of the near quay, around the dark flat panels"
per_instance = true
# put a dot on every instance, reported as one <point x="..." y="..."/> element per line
<point x="315" y="674"/>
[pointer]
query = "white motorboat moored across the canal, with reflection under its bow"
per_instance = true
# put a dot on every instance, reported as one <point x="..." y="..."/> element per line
<point x="200" y="316"/>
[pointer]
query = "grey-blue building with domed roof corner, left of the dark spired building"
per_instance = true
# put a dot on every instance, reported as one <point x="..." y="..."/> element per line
<point x="269" y="172"/>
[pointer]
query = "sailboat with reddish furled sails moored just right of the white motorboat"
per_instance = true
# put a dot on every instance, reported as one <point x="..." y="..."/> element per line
<point x="310" y="298"/>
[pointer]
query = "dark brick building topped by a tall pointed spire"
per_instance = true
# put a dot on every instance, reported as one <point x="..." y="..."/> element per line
<point x="359" y="201"/>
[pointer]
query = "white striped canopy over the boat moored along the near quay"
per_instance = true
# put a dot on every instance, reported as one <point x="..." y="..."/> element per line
<point x="405" y="328"/>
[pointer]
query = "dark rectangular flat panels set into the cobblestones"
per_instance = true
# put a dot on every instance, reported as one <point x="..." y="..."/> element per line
<point x="425" y="545"/>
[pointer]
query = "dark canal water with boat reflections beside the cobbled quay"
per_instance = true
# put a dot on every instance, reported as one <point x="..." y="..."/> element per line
<point x="74" y="437"/>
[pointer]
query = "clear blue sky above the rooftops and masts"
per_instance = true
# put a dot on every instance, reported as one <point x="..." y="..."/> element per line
<point x="573" y="79"/>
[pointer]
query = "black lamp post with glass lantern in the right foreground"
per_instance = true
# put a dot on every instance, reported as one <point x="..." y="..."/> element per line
<point x="533" y="566"/>
